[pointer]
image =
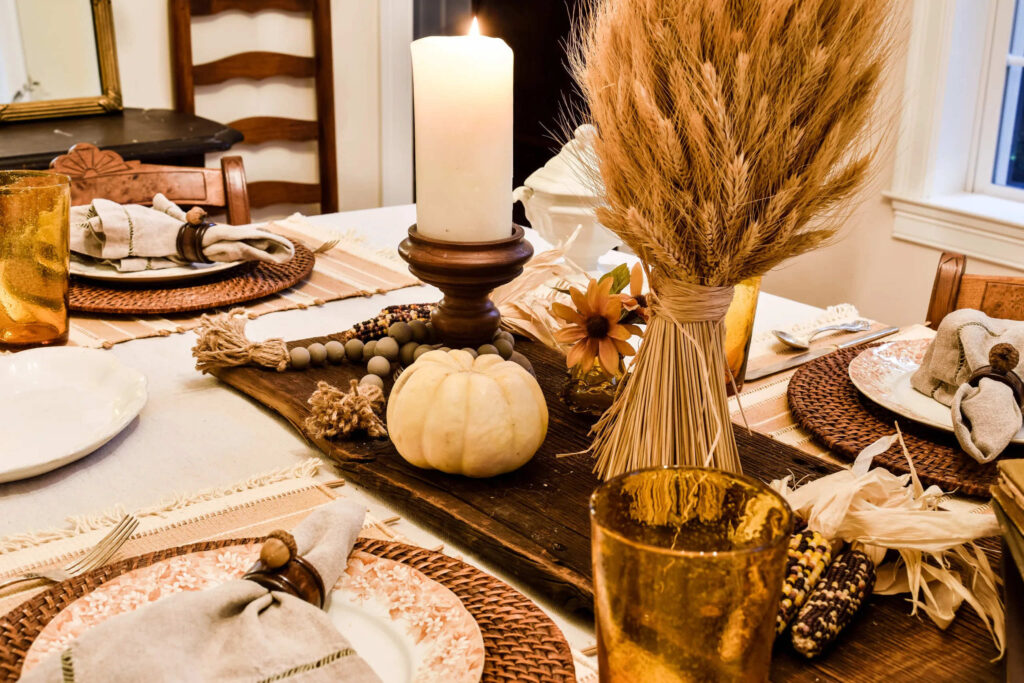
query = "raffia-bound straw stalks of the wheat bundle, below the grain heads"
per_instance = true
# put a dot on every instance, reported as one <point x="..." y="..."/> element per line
<point x="672" y="409"/>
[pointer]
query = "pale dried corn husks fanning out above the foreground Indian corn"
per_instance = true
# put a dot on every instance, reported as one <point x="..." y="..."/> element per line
<point x="936" y="561"/>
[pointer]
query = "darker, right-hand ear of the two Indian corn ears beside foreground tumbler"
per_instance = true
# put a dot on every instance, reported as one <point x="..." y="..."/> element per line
<point x="834" y="603"/>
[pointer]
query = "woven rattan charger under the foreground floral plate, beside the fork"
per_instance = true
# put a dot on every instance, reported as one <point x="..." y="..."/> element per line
<point x="522" y="644"/>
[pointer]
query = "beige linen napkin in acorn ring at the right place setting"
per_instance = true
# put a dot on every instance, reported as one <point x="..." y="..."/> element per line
<point x="988" y="417"/>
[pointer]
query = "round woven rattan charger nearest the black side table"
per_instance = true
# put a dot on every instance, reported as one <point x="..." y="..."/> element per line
<point x="247" y="283"/>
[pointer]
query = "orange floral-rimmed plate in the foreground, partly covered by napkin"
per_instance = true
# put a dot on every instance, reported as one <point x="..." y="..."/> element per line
<point x="405" y="626"/>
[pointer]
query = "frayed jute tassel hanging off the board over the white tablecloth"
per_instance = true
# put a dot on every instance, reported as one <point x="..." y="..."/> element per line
<point x="223" y="344"/>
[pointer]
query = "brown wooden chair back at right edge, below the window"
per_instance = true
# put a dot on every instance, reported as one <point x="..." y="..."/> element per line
<point x="998" y="296"/>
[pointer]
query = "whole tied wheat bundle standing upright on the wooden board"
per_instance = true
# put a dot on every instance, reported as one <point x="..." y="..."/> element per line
<point x="733" y="136"/>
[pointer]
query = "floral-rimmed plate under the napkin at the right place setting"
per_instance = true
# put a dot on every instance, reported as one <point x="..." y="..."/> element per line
<point x="883" y="375"/>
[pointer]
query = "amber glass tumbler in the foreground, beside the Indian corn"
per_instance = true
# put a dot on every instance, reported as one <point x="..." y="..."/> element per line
<point x="689" y="567"/>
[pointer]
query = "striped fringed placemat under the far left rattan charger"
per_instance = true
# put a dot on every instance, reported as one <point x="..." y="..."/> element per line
<point x="351" y="269"/>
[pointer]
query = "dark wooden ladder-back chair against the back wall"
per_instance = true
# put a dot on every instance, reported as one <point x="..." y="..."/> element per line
<point x="260" y="66"/>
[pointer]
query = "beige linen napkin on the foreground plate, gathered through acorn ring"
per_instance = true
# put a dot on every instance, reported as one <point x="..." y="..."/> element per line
<point x="236" y="632"/>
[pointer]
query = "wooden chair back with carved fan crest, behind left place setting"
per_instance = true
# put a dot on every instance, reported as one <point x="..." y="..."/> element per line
<point x="103" y="174"/>
